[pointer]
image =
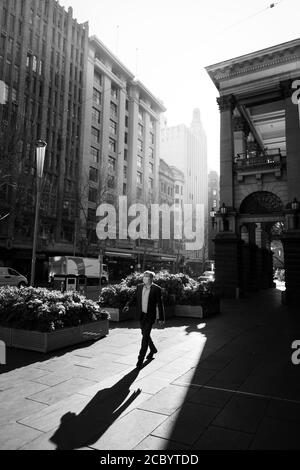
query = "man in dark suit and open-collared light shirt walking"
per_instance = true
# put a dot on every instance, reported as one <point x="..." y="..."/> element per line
<point x="148" y="296"/>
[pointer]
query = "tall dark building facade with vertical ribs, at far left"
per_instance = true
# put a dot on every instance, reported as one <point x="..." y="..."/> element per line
<point x="43" y="53"/>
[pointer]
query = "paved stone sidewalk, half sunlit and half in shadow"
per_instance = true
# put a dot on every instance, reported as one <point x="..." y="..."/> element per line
<point x="226" y="382"/>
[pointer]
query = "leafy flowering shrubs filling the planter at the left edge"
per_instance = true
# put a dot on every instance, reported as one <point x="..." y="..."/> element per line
<point x="39" y="309"/>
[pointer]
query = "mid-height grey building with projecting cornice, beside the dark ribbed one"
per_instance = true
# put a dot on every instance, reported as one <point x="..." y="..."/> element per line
<point x="121" y="153"/>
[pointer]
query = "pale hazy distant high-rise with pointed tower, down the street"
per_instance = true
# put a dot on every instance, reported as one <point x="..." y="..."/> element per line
<point x="186" y="148"/>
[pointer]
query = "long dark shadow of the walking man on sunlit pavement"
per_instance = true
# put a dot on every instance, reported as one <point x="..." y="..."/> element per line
<point x="91" y="423"/>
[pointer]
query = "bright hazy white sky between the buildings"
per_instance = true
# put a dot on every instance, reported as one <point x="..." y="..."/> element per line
<point x="167" y="44"/>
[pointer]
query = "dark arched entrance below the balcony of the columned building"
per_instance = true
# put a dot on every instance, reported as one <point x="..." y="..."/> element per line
<point x="244" y="255"/>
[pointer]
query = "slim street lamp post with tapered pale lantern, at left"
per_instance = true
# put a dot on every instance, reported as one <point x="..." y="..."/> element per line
<point x="40" y="158"/>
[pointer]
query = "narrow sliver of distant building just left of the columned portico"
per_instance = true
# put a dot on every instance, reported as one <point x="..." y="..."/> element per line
<point x="213" y="207"/>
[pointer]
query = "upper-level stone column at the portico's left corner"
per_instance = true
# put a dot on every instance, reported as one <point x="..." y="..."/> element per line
<point x="226" y="106"/>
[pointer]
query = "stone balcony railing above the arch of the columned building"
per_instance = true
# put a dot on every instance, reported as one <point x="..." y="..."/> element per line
<point x="270" y="159"/>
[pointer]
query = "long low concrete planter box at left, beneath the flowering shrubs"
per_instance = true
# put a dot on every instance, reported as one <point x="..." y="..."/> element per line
<point x="45" y="342"/>
